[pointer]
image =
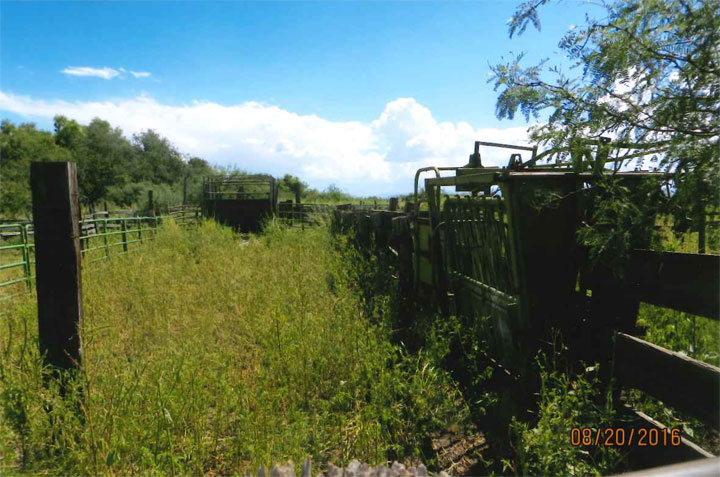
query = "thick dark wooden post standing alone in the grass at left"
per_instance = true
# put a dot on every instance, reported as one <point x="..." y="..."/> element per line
<point x="57" y="262"/>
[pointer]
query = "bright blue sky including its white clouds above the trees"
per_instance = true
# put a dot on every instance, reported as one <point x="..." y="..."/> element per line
<point x="353" y="93"/>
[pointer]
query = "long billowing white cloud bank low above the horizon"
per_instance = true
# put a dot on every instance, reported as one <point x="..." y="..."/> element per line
<point x="379" y="157"/>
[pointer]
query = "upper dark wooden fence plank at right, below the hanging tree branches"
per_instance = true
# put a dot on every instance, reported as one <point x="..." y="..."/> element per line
<point x="682" y="281"/>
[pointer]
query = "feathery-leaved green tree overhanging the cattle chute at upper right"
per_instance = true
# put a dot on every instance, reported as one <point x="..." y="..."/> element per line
<point x="647" y="75"/>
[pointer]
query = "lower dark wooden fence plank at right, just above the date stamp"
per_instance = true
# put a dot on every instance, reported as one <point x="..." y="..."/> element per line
<point x="679" y="381"/>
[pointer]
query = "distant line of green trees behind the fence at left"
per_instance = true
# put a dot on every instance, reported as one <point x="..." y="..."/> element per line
<point x="120" y="171"/>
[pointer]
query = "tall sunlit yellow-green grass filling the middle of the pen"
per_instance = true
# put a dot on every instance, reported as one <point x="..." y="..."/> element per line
<point x="206" y="353"/>
